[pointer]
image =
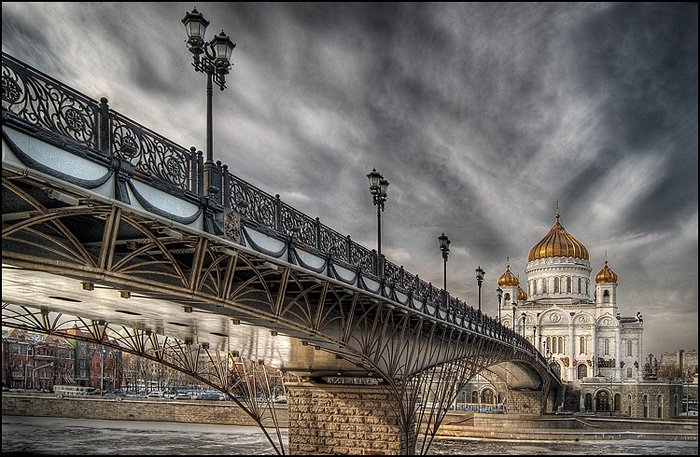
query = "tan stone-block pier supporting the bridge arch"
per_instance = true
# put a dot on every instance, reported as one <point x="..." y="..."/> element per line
<point x="344" y="419"/>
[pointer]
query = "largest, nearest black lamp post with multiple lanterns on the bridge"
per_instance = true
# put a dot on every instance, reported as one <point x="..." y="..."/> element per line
<point x="214" y="59"/>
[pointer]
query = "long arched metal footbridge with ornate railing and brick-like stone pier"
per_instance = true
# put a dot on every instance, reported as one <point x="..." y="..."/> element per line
<point x="109" y="235"/>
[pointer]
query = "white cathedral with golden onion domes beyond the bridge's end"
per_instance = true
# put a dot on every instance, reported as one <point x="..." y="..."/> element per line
<point x="574" y="322"/>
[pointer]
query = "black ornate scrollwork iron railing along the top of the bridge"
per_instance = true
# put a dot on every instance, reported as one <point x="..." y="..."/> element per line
<point x="36" y="101"/>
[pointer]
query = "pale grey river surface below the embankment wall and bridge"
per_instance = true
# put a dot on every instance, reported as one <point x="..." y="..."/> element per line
<point x="63" y="436"/>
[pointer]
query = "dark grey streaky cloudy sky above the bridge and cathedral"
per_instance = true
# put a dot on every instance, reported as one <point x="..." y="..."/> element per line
<point x="481" y="116"/>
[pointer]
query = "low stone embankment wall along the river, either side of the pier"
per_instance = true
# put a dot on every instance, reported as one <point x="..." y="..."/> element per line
<point x="457" y="424"/>
